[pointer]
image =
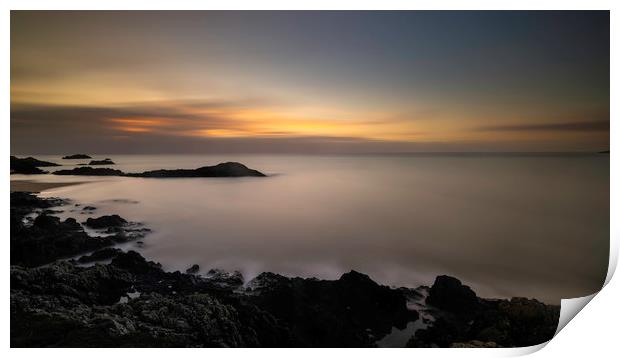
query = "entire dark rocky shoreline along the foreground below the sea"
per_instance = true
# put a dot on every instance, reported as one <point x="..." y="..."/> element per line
<point x="123" y="300"/>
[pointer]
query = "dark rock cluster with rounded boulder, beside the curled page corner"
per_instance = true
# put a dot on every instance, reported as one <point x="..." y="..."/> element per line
<point x="517" y="322"/>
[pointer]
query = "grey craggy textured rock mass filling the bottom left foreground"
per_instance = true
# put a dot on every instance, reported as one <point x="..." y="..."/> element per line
<point x="67" y="306"/>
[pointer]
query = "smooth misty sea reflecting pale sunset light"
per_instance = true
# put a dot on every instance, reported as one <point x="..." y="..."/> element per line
<point x="506" y="225"/>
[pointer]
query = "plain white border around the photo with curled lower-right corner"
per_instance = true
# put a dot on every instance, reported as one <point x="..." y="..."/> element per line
<point x="593" y="329"/>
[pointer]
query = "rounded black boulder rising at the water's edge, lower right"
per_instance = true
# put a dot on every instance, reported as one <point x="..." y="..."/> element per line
<point x="448" y="293"/>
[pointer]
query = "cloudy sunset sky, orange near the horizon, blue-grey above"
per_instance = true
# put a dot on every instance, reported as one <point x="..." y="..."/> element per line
<point x="309" y="82"/>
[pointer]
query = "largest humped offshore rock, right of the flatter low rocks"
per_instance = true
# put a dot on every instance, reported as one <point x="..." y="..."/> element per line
<point x="228" y="169"/>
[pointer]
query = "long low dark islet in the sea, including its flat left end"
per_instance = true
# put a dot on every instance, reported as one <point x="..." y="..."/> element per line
<point x="229" y="169"/>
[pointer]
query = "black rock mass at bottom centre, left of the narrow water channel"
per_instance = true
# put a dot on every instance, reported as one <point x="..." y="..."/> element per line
<point x="332" y="313"/>
